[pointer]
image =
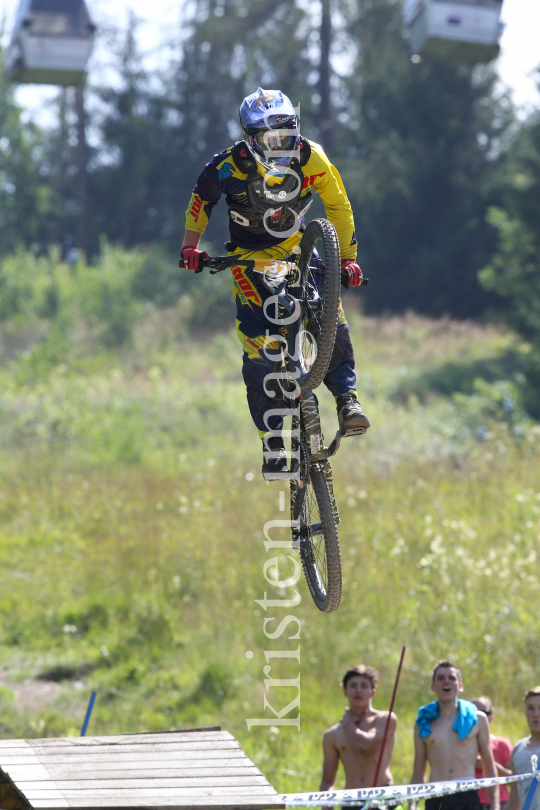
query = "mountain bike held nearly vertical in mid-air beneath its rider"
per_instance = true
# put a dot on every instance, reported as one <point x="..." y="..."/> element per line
<point x="306" y="284"/>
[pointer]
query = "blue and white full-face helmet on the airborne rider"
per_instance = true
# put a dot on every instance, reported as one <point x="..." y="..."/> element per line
<point x="269" y="125"/>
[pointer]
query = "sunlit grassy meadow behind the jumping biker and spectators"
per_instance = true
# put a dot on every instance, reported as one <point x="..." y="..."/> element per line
<point x="132" y="512"/>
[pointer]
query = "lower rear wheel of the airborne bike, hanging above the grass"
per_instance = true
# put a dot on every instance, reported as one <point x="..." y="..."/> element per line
<point x="311" y="509"/>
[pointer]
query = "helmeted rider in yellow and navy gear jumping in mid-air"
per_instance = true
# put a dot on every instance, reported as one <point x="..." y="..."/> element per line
<point x="270" y="154"/>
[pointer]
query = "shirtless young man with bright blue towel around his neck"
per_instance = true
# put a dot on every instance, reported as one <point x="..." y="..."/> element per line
<point x="451" y="752"/>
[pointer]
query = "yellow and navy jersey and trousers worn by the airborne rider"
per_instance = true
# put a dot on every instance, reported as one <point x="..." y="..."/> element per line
<point x="222" y="176"/>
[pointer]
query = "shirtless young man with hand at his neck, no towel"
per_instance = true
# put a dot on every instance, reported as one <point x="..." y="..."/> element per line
<point x="356" y="740"/>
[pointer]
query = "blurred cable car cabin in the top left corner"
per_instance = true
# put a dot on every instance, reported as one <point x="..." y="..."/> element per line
<point x="51" y="42"/>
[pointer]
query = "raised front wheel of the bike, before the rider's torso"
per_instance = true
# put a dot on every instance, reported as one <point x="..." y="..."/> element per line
<point x="319" y="279"/>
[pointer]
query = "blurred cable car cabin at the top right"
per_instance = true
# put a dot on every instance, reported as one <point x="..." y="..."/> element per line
<point x="456" y="30"/>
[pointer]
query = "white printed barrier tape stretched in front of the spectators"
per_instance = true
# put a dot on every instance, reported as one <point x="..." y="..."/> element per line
<point x="395" y="794"/>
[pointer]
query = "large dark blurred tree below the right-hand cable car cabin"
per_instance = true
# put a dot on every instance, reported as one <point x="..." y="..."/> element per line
<point x="420" y="156"/>
